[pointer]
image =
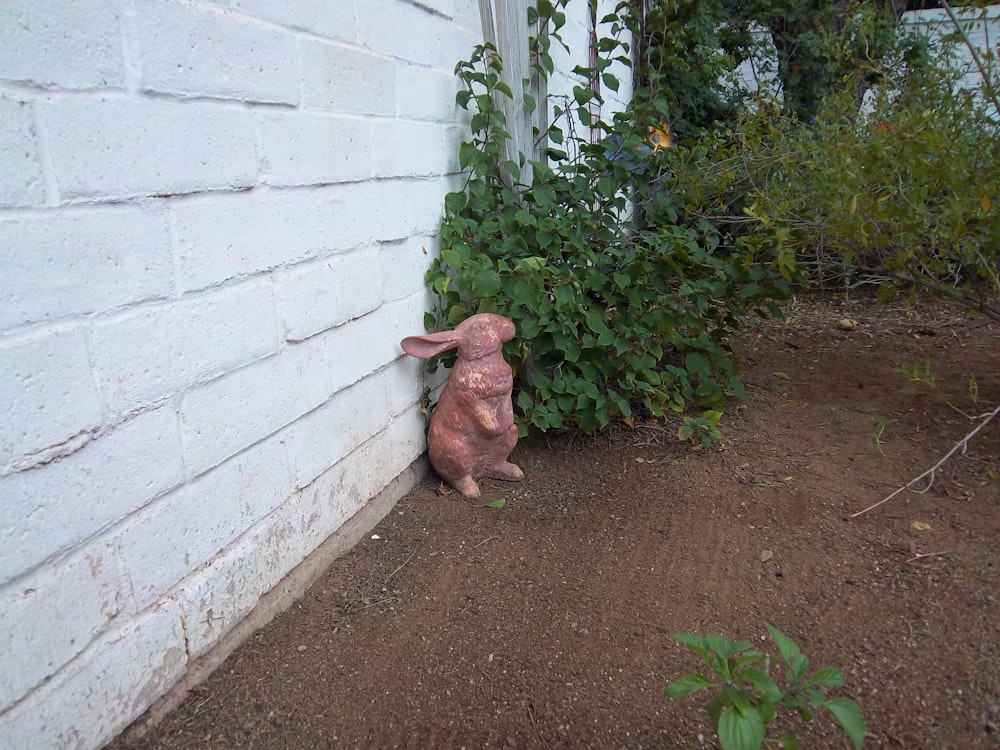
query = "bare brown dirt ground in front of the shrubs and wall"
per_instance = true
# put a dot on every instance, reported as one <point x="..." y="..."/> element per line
<point x="546" y="623"/>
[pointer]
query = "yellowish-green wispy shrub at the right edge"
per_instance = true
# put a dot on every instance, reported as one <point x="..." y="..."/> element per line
<point x="898" y="194"/>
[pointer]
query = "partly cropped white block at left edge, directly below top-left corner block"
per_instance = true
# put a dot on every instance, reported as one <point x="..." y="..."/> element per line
<point x="21" y="181"/>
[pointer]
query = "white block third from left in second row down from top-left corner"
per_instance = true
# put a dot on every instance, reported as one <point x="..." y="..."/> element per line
<point x="311" y="149"/>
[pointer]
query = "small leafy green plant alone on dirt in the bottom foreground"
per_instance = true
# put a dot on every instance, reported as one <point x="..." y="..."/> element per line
<point x="747" y="698"/>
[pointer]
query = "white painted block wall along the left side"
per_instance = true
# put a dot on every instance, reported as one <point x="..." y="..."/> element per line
<point x="213" y="225"/>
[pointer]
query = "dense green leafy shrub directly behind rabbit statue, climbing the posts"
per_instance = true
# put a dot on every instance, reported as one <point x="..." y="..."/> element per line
<point x="620" y="304"/>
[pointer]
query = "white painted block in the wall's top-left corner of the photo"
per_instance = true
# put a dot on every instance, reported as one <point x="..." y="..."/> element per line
<point x="69" y="45"/>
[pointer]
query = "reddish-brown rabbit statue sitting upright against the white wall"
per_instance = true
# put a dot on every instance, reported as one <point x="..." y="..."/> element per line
<point x="472" y="430"/>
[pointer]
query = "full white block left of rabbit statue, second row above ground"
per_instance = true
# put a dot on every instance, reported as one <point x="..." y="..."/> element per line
<point x="323" y="437"/>
